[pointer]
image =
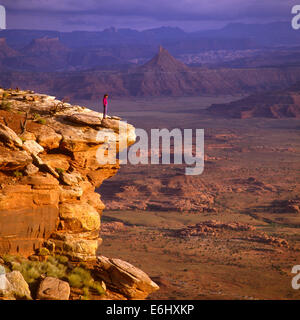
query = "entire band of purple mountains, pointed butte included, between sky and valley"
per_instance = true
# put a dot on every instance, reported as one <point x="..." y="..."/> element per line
<point x="238" y="59"/>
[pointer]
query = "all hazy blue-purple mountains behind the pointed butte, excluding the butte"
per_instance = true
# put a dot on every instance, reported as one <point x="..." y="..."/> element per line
<point x="35" y="50"/>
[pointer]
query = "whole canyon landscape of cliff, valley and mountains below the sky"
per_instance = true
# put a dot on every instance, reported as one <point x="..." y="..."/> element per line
<point x="229" y="233"/>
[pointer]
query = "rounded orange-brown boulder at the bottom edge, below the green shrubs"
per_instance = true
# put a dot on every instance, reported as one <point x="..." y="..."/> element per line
<point x="53" y="289"/>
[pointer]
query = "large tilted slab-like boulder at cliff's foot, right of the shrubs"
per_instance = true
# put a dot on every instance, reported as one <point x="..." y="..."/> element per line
<point x="124" y="278"/>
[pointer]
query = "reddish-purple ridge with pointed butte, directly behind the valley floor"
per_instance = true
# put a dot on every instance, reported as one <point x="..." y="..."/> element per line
<point x="163" y="75"/>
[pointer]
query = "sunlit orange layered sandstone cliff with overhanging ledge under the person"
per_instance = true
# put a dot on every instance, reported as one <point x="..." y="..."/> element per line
<point x="49" y="169"/>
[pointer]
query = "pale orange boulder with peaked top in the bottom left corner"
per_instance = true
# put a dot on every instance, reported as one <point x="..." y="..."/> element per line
<point x="15" y="287"/>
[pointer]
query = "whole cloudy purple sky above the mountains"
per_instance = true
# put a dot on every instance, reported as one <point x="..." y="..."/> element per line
<point x="68" y="15"/>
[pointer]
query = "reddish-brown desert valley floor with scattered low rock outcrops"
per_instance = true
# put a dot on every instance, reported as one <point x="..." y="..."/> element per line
<point x="230" y="233"/>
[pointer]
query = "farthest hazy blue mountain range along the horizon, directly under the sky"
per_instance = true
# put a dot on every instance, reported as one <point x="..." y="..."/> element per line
<point x="272" y="34"/>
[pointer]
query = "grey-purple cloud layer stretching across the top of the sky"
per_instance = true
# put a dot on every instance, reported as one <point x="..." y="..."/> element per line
<point x="153" y="11"/>
